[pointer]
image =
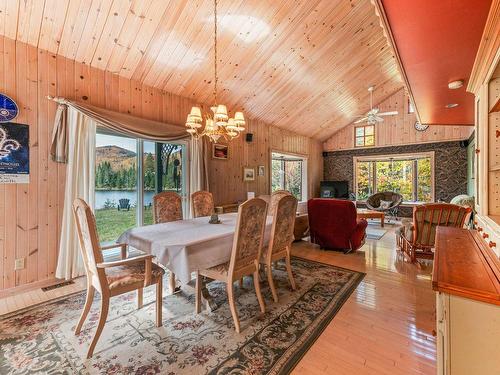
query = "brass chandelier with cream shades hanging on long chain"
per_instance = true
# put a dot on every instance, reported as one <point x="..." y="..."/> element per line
<point x="218" y="124"/>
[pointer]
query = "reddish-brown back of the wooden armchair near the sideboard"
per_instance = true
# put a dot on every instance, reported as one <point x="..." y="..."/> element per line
<point x="427" y="217"/>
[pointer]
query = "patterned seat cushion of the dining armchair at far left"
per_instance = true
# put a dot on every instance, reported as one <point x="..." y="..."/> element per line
<point x="134" y="273"/>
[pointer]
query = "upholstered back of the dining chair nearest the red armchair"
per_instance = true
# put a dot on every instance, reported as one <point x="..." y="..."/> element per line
<point x="283" y="224"/>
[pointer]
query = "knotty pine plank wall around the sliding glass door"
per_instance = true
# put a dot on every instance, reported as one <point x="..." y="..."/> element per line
<point x="30" y="214"/>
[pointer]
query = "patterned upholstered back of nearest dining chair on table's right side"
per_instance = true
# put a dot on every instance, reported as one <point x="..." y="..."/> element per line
<point x="249" y="235"/>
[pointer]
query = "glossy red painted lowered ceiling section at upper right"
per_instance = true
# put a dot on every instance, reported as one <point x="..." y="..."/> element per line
<point x="437" y="41"/>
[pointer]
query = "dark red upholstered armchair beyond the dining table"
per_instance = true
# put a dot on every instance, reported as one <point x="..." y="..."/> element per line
<point x="333" y="224"/>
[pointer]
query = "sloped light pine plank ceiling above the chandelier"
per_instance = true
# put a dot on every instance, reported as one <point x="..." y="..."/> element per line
<point x="300" y="65"/>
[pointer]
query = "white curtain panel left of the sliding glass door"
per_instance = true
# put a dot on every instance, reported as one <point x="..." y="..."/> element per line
<point x="79" y="184"/>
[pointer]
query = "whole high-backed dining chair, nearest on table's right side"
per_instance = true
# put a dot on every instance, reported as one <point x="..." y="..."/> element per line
<point x="245" y="255"/>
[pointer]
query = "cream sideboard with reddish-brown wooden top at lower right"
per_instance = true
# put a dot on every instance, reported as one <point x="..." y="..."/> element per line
<point x="466" y="277"/>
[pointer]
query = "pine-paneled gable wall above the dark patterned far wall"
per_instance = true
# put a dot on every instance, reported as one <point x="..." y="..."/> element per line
<point x="399" y="129"/>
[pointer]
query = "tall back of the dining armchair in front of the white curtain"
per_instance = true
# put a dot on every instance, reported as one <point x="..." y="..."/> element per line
<point x="87" y="234"/>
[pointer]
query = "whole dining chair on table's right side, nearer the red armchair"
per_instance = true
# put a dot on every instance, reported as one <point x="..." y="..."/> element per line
<point x="281" y="240"/>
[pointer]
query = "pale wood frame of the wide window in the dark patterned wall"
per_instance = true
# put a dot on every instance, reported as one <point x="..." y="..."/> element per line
<point x="387" y="157"/>
